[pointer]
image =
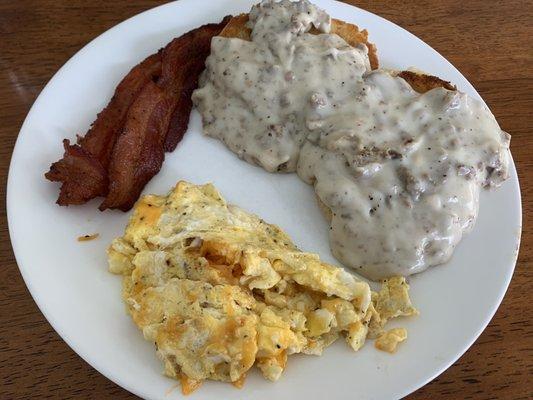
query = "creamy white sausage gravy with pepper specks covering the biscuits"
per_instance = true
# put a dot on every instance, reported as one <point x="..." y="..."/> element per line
<point x="400" y="171"/>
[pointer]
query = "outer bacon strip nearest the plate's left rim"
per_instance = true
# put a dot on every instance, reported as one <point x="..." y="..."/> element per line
<point x="91" y="154"/>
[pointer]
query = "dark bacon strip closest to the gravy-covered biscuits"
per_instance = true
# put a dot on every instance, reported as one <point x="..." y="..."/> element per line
<point x="158" y="119"/>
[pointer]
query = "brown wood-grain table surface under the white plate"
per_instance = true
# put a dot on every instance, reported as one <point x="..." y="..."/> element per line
<point x="489" y="41"/>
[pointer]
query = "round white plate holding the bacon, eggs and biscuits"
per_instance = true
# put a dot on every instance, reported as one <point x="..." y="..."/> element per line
<point x="70" y="283"/>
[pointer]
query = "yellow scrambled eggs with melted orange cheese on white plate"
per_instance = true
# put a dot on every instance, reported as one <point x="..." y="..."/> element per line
<point x="219" y="290"/>
